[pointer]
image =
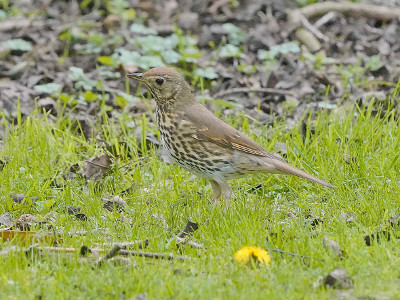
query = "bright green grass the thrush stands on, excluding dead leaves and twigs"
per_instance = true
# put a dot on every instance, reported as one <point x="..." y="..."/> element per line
<point x="40" y="150"/>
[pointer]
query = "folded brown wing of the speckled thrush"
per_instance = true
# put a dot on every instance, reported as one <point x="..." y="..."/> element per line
<point x="212" y="129"/>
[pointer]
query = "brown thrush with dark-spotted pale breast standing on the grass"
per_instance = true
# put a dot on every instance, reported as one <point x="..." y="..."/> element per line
<point x="203" y="144"/>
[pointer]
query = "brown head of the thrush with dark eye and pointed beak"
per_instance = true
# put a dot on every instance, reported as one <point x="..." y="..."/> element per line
<point x="164" y="83"/>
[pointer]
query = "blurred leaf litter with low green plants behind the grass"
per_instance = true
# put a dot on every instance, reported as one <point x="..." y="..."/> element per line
<point x="269" y="59"/>
